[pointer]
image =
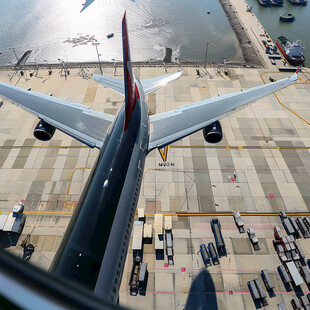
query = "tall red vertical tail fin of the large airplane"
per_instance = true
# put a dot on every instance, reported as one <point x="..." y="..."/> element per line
<point x="129" y="81"/>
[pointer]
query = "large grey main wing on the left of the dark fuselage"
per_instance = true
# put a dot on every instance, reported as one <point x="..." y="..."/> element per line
<point x="76" y="120"/>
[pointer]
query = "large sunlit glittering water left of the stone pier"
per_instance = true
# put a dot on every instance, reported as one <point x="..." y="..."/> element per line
<point x="56" y="30"/>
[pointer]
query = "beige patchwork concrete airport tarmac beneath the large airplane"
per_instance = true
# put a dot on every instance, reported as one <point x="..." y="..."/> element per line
<point x="266" y="144"/>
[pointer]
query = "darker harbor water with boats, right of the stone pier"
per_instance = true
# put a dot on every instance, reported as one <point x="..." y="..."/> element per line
<point x="297" y="30"/>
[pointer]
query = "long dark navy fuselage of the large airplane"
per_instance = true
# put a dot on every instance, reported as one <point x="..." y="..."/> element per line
<point x="94" y="248"/>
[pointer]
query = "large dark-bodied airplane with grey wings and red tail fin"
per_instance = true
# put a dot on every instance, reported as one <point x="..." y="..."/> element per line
<point x="94" y="247"/>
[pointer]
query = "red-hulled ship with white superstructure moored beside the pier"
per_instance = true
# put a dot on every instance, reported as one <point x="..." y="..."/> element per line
<point x="292" y="51"/>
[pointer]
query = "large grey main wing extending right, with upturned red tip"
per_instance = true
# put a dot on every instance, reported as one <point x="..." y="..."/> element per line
<point x="174" y="125"/>
